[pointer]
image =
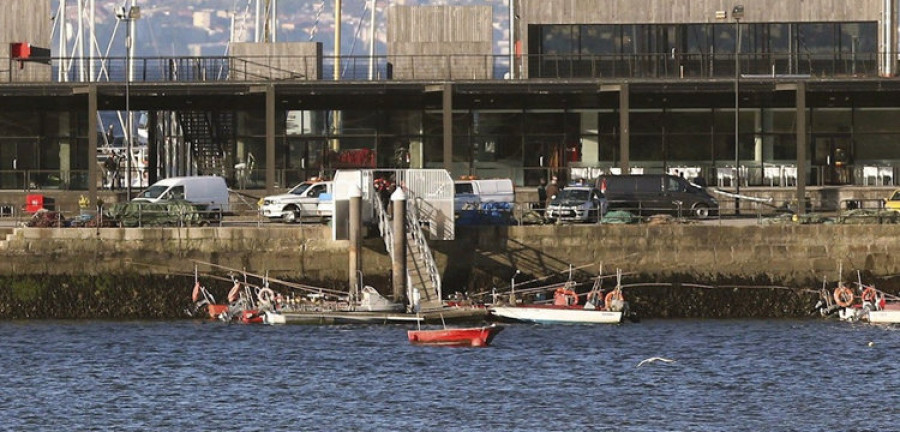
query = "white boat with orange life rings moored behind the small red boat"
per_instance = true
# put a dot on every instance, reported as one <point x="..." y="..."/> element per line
<point x="566" y="308"/>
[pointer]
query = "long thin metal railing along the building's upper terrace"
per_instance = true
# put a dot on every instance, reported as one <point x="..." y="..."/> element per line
<point x="453" y="67"/>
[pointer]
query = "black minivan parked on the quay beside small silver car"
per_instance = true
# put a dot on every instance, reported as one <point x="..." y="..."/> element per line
<point x="648" y="194"/>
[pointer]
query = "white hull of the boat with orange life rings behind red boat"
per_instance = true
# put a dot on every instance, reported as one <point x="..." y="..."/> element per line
<point x="556" y="315"/>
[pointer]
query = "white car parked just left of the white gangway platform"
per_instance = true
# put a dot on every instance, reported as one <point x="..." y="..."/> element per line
<point x="307" y="199"/>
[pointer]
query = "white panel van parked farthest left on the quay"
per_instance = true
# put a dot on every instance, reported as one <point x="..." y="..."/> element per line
<point x="211" y="192"/>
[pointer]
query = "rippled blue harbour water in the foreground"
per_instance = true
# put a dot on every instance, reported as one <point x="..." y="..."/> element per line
<point x="728" y="375"/>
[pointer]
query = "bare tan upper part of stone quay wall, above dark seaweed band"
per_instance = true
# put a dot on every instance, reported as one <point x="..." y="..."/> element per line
<point x="794" y="255"/>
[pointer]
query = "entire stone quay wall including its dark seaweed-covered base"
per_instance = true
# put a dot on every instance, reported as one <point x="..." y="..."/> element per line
<point x="146" y="273"/>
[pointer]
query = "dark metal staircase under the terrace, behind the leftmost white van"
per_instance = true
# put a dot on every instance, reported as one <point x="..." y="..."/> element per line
<point x="208" y="132"/>
